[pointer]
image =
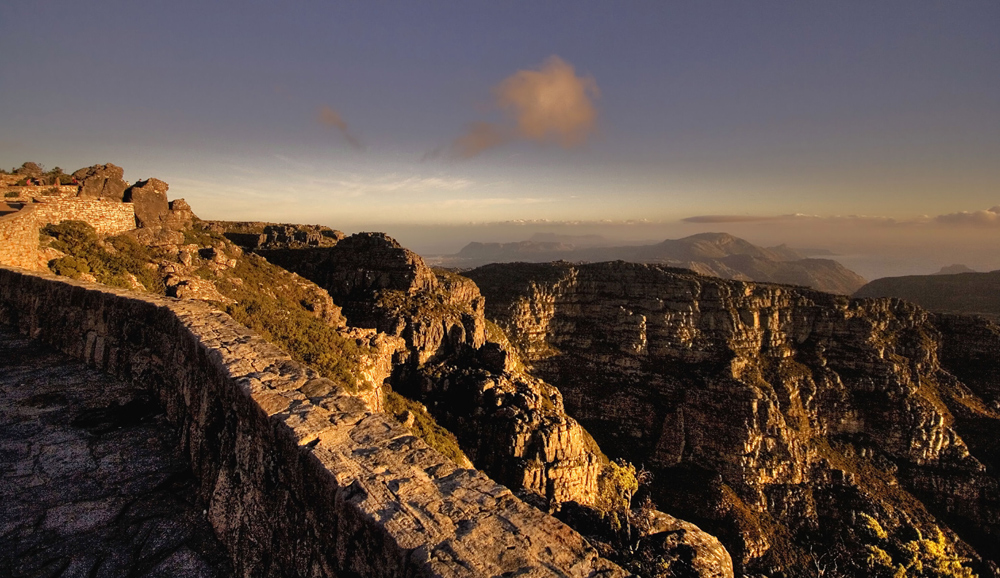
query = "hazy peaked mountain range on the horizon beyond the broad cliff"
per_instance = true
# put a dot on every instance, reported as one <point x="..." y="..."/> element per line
<point x="715" y="254"/>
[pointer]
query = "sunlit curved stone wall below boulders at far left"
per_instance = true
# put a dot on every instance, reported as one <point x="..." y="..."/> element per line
<point x="19" y="231"/>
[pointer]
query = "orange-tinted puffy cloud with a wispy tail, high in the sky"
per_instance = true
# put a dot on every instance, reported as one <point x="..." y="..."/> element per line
<point x="551" y="104"/>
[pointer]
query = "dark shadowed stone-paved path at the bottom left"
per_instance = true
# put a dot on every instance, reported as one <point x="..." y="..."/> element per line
<point x="91" y="482"/>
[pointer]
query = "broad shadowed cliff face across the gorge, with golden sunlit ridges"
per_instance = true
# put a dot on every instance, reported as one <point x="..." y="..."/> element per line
<point x="787" y="421"/>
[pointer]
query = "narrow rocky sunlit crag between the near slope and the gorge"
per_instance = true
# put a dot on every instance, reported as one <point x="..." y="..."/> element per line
<point x="511" y="425"/>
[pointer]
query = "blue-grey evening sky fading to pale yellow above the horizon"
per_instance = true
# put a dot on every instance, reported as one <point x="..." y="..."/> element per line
<point x="870" y="129"/>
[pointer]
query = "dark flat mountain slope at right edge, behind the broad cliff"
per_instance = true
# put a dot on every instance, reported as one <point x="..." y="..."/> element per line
<point x="975" y="293"/>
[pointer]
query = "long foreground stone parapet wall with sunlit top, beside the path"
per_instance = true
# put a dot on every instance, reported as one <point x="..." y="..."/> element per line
<point x="300" y="479"/>
